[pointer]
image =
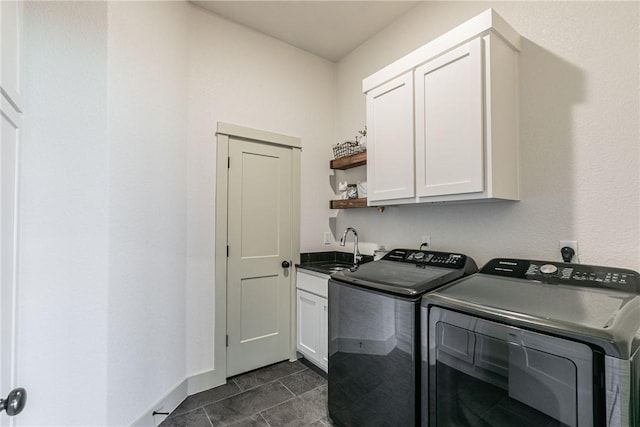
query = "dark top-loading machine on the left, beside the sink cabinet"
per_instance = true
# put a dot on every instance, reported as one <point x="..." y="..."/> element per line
<point x="374" y="335"/>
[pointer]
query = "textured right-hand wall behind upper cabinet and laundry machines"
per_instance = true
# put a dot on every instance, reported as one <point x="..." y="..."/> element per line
<point x="579" y="134"/>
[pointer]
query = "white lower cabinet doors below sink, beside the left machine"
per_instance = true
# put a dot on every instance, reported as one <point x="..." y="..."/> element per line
<point x="312" y="328"/>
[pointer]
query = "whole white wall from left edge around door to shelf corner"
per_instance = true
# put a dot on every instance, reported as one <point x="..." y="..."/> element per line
<point x="118" y="169"/>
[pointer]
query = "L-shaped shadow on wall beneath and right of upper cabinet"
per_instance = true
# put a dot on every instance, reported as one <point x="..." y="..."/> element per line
<point x="549" y="88"/>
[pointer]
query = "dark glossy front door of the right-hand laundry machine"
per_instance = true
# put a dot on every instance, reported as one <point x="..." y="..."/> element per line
<point x="482" y="373"/>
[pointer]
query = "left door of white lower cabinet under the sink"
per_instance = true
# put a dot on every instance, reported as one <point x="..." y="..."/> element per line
<point x="309" y="325"/>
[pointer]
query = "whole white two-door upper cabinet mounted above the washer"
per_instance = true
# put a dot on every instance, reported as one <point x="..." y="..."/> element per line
<point x="443" y="120"/>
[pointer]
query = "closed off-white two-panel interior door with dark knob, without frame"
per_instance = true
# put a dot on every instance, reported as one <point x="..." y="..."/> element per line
<point x="259" y="239"/>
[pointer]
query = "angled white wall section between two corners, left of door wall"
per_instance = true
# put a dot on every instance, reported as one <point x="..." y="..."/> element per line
<point x="147" y="106"/>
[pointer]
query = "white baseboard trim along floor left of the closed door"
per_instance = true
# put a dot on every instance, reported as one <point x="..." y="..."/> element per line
<point x="170" y="400"/>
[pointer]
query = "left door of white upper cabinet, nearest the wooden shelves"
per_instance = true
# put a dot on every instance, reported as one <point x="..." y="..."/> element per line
<point x="390" y="140"/>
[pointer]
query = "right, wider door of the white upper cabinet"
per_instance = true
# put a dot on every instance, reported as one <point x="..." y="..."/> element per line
<point x="449" y="123"/>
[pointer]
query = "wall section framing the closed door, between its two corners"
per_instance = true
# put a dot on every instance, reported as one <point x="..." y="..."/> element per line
<point x="240" y="76"/>
